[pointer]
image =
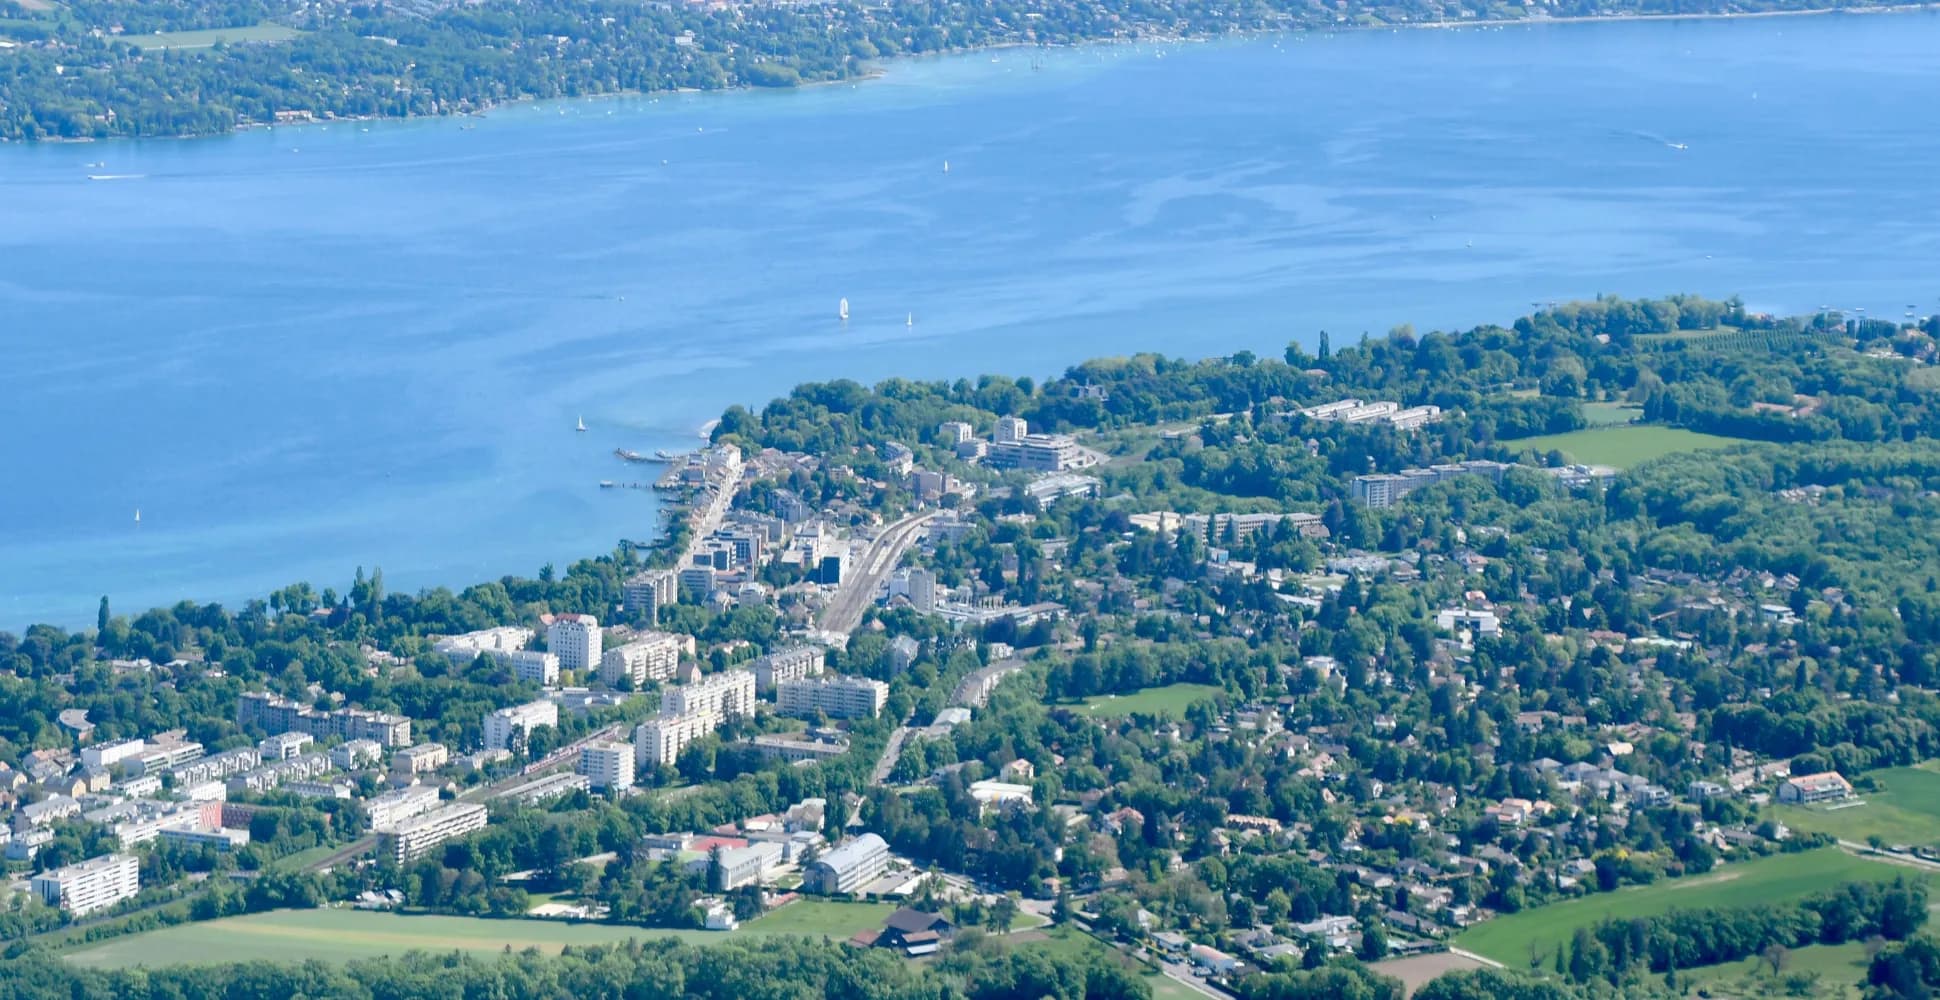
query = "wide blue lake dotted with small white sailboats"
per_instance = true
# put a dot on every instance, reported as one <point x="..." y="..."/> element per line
<point x="306" y="350"/>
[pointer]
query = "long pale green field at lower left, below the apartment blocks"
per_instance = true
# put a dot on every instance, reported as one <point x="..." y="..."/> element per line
<point x="342" y="935"/>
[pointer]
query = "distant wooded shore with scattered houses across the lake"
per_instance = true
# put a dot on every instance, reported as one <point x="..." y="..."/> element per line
<point x="69" y="79"/>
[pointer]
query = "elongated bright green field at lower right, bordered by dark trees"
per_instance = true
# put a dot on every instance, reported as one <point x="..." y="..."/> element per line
<point x="1751" y="884"/>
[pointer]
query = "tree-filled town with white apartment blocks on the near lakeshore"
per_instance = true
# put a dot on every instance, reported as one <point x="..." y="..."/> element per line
<point x="1592" y="655"/>
